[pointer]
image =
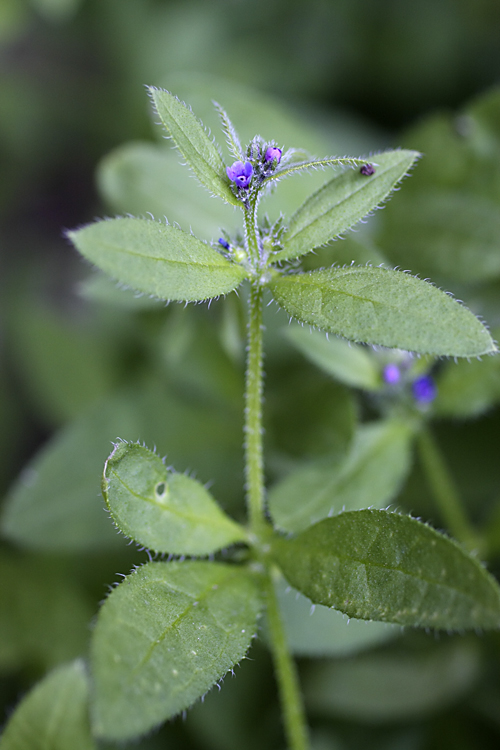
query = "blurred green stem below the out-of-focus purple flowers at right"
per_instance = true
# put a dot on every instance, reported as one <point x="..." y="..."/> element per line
<point x="444" y="490"/>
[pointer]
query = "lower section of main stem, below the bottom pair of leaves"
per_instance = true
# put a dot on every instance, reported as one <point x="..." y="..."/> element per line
<point x="286" y="674"/>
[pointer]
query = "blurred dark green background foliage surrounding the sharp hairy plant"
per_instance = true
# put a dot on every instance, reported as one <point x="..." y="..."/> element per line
<point x="83" y="362"/>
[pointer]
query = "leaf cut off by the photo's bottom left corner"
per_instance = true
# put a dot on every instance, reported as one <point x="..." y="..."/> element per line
<point x="53" y="715"/>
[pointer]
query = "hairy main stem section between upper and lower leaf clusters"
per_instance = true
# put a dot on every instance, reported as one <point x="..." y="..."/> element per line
<point x="254" y="461"/>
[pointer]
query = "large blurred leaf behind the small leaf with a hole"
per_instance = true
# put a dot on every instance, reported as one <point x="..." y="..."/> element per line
<point x="56" y="504"/>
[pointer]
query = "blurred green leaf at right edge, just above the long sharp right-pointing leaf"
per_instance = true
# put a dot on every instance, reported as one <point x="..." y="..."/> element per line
<point x="445" y="234"/>
